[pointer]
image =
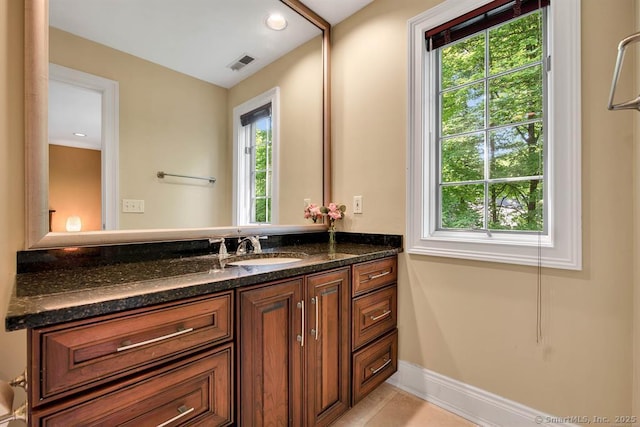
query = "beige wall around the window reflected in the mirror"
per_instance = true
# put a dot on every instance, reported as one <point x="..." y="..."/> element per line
<point x="299" y="77"/>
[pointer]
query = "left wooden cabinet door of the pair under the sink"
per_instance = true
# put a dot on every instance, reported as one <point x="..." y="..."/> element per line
<point x="271" y="344"/>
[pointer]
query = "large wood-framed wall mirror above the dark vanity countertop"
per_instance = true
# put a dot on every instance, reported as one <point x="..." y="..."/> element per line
<point x="162" y="105"/>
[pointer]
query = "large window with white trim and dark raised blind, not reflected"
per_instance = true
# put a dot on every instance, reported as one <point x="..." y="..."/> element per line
<point x="494" y="132"/>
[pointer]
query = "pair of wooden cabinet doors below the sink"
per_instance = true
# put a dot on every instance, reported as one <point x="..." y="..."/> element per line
<point x="294" y="351"/>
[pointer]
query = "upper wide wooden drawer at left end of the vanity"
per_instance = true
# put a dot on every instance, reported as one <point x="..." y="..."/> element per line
<point x="87" y="353"/>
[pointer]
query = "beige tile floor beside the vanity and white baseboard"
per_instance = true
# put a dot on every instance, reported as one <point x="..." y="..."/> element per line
<point x="388" y="406"/>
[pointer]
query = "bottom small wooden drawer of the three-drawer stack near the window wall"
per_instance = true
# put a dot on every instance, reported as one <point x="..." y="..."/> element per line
<point x="374" y="364"/>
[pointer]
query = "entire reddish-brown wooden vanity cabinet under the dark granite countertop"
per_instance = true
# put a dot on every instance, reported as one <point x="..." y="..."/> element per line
<point x="307" y="348"/>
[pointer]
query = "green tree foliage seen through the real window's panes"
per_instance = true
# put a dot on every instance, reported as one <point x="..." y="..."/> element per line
<point x="491" y="139"/>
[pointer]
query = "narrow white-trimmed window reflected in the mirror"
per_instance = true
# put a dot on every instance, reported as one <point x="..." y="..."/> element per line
<point x="255" y="162"/>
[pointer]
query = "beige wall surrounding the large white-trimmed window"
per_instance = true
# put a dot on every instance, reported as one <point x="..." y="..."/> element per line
<point x="476" y="321"/>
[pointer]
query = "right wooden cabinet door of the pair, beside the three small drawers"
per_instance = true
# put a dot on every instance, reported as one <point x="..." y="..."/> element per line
<point x="328" y="347"/>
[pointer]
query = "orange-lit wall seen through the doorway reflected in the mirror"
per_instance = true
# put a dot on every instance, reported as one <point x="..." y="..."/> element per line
<point x="75" y="187"/>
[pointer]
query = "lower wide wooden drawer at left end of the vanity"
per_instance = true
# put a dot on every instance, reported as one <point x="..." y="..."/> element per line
<point x="196" y="391"/>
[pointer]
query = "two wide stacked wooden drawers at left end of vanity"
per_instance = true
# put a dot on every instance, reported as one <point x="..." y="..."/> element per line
<point x="140" y="367"/>
